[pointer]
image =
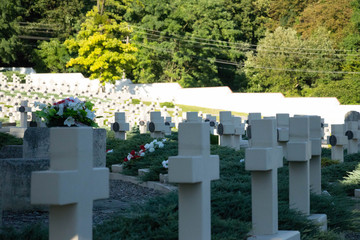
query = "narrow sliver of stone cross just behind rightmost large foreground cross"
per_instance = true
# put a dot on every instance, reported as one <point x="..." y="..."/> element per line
<point x="315" y="161"/>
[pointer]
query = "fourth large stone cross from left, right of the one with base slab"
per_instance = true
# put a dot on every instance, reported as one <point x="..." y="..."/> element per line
<point x="299" y="154"/>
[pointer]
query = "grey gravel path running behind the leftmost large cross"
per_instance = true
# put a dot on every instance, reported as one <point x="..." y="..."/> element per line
<point x="122" y="196"/>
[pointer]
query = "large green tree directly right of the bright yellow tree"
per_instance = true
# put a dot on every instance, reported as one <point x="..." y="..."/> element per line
<point x="195" y="43"/>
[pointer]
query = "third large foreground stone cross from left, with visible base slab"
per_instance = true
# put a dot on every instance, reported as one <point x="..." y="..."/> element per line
<point x="263" y="159"/>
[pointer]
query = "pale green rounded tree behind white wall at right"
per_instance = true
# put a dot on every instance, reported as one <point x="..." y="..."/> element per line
<point x="283" y="62"/>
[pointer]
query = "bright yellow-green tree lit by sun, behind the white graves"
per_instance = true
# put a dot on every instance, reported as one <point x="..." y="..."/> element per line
<point x="102" y="47"/>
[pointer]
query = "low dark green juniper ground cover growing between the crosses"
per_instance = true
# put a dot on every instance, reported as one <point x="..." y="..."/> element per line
<point x="231" y="199"/>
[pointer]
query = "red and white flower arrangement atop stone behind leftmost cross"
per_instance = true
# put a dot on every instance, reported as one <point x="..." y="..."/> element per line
<point x="67" y="112"/>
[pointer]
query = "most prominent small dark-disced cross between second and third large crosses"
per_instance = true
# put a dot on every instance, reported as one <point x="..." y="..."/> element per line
<point x="226" y="129"/>
